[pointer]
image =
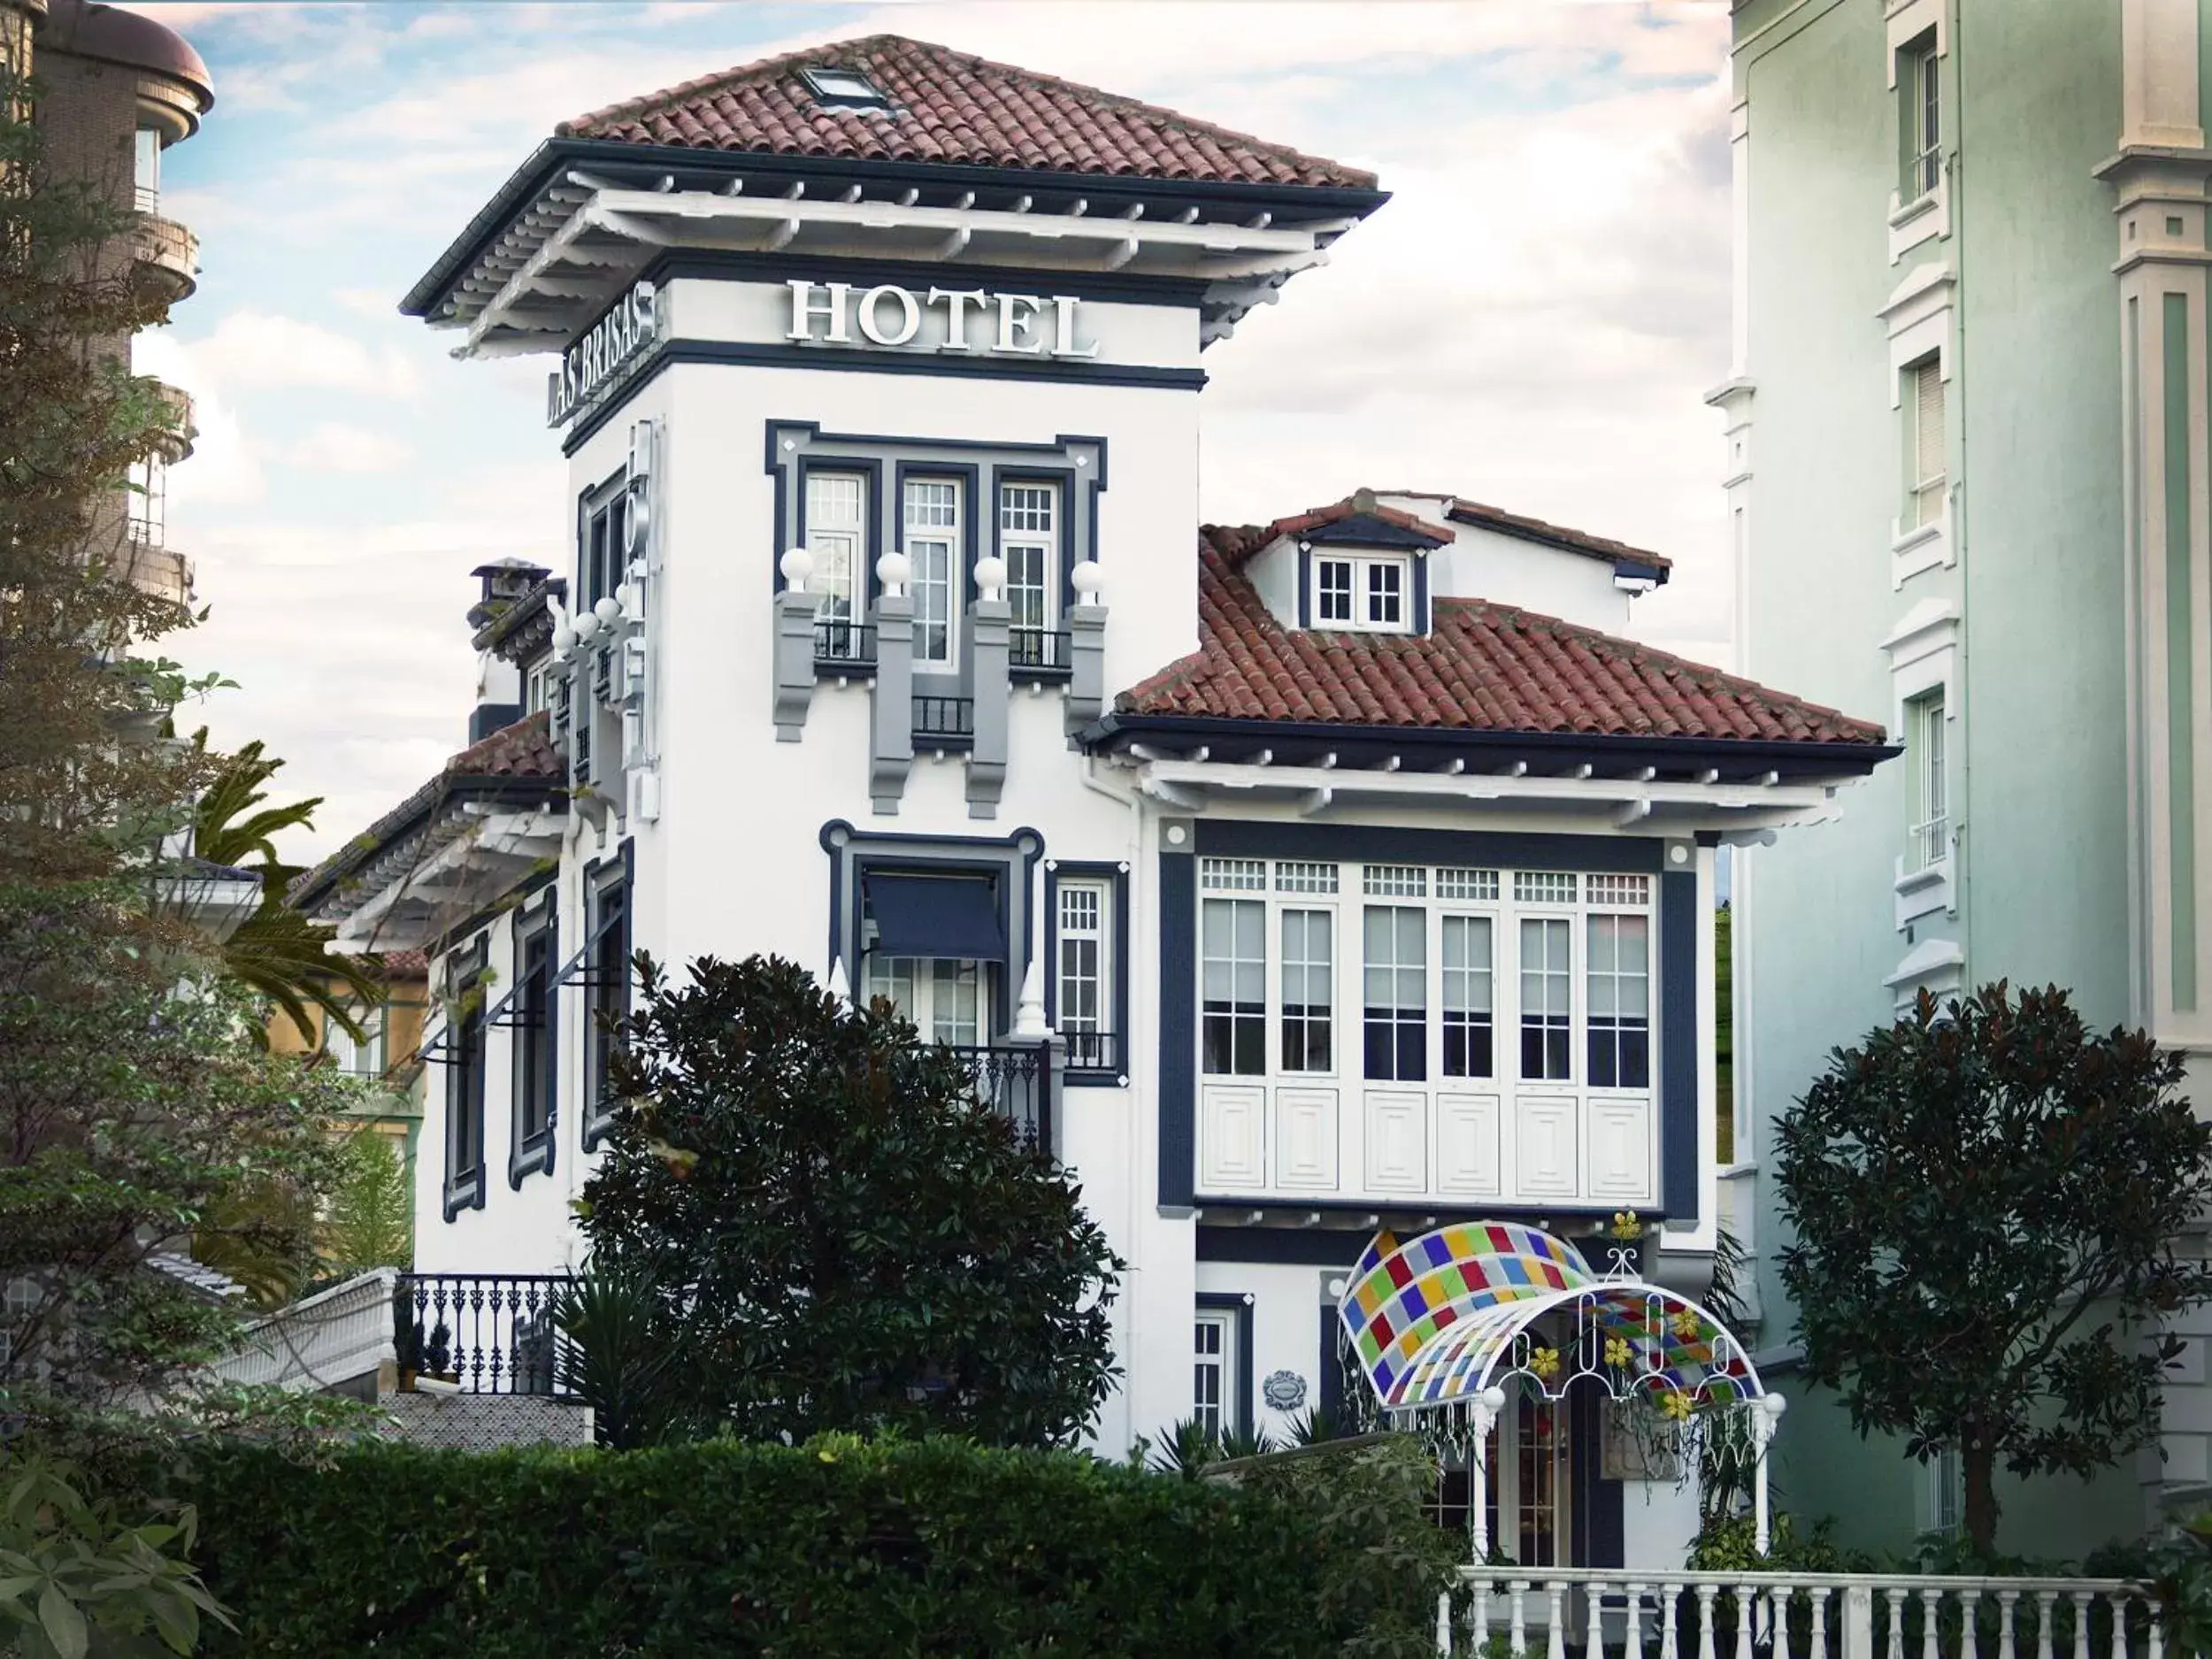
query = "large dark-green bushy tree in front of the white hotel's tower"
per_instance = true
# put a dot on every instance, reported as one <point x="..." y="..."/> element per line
<point x="839" y="1235"/>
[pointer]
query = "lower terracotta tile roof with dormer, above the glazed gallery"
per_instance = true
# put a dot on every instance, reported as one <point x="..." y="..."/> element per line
<point x="1483" y="669"/>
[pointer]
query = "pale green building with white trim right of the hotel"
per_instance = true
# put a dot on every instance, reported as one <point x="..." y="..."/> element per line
<point x="1968" y="483"/>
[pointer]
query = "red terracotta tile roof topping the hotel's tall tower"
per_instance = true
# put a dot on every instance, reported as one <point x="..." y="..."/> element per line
<point x="954" y="109"/>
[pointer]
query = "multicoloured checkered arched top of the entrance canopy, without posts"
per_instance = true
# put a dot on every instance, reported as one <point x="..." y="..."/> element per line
<point x="1452" y="1313"/>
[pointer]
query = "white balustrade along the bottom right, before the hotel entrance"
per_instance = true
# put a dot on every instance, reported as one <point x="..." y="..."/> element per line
<point x="1603" y="1614"/>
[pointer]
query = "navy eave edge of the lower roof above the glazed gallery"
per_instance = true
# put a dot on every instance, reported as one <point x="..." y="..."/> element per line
<point x="1295" y="742"/>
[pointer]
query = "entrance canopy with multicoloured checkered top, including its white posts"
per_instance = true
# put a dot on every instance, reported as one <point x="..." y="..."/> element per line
<point x="1446" y="1322"/>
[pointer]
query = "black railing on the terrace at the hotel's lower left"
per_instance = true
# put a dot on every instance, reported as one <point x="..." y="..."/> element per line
<point x="481" y="1333"/>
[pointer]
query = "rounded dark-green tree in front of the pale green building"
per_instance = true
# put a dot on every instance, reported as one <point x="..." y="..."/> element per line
<point x="1985" y="1204"/>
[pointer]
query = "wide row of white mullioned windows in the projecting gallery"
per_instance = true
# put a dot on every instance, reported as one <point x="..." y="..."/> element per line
<point x="1527" y="977"/>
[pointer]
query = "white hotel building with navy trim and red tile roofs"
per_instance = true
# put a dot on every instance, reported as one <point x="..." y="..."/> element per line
<point x="1295" y="881"/>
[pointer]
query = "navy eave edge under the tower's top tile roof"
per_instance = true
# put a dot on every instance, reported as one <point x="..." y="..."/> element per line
<point x="552" y="158"/>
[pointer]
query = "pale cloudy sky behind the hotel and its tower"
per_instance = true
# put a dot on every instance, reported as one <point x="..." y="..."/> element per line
<point x="1558" y="231"/>
